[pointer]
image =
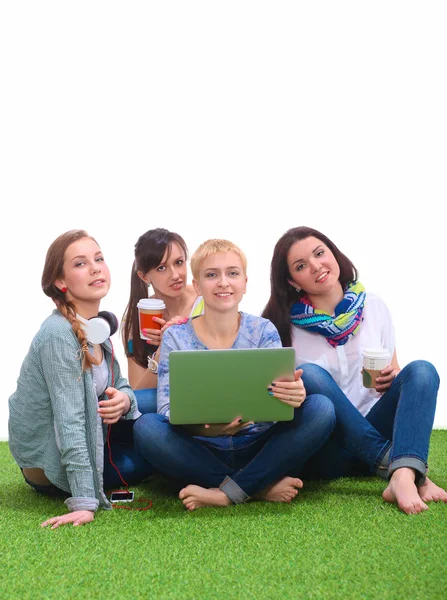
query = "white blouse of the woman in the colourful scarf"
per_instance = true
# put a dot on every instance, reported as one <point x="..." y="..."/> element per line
<point x="344" y="363"/>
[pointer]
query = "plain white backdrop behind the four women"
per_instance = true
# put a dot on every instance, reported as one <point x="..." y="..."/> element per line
<point x="231" y="119"/>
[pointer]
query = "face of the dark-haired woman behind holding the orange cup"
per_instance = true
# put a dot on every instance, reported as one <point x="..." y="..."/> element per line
<point x="169" y="277"/>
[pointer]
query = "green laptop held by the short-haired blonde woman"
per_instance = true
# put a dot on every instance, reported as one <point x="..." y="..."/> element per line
<point x="216" y="386"/>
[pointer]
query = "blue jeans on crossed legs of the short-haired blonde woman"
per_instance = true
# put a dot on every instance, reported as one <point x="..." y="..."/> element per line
<point x="242" y="465"/>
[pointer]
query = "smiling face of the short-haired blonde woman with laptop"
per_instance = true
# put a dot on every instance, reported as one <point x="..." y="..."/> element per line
<point x="221" y="281"/>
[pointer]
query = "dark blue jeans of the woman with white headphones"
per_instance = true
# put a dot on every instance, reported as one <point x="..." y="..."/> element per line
<point x="131" y="465"/>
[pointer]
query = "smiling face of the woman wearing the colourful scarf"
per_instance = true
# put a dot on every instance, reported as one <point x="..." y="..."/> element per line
<point x="313" y="268"/>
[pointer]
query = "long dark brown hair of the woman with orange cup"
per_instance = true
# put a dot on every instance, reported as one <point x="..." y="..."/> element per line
<point x="149" y="252"/>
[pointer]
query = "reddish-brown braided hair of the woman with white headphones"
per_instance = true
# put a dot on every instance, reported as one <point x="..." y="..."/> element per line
<point x="54" y="270"/>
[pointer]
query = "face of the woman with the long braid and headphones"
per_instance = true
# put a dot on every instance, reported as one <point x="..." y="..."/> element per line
<point x="85" y="273"/>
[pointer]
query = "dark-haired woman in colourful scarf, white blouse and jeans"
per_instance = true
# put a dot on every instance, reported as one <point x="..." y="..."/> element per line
<point x="321" y="309"/>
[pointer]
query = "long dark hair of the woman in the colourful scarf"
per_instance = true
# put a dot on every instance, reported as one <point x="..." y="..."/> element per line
<point x="282" y="294"/>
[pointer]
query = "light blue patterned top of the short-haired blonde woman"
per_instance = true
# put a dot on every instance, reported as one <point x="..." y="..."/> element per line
<point x="254" y="332"/>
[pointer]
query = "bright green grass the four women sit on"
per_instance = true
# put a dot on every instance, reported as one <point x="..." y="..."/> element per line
<point x="339" y="540"/>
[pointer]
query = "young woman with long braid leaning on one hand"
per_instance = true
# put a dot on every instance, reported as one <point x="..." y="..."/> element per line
<point x="70" y="390"/>
